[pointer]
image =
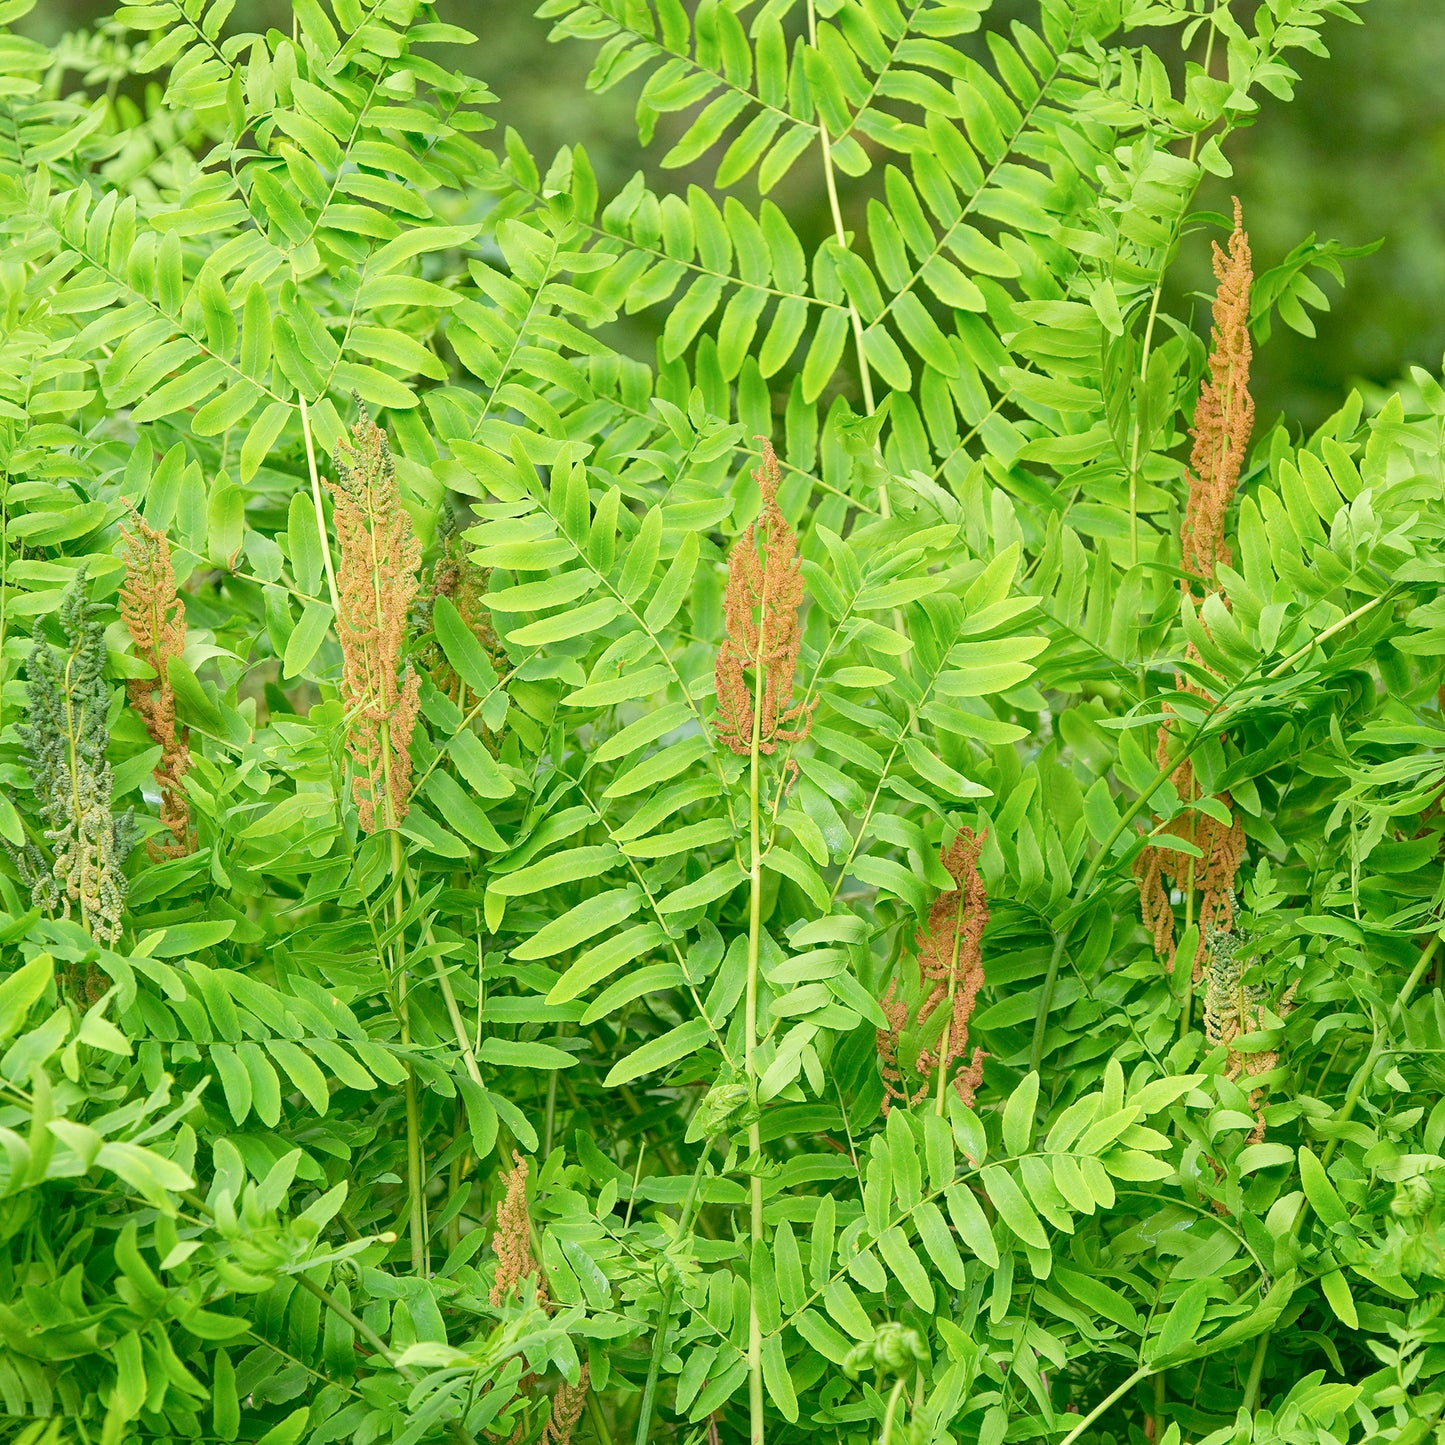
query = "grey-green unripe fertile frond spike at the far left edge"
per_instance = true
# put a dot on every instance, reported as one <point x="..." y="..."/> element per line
<point x="66" y="736"/>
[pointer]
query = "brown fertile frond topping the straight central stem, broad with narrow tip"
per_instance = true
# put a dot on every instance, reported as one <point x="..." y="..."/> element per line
<point x="765" y="592"/>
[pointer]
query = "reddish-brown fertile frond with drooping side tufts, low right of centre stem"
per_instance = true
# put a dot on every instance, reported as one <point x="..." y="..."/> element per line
<point x="950" y="959"/>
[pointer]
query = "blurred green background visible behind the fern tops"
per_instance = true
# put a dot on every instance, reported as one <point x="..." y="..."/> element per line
<point x="1358" y="157"/>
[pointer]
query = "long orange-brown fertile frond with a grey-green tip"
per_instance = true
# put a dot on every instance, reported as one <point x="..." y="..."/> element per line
<point x="378" y="583"/>
